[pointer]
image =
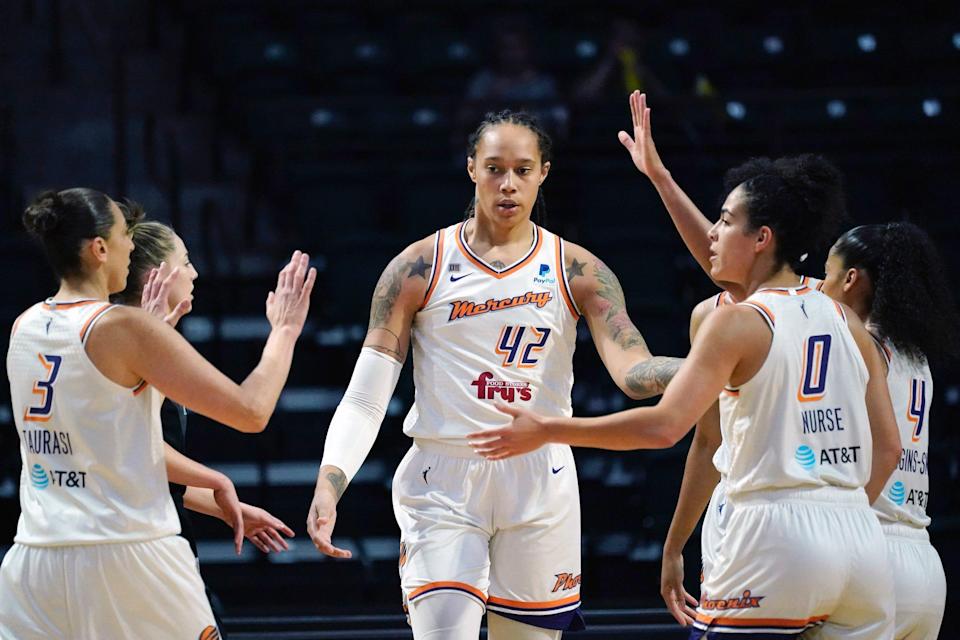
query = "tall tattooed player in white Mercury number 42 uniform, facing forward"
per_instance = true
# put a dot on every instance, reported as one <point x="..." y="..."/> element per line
<point x="490" y="307"/>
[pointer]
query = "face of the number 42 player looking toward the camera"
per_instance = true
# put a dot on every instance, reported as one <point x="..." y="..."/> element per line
<point x="508" y="174"/>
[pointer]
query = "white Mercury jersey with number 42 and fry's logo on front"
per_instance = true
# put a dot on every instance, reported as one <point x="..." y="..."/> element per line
<point x="485" y="335"/>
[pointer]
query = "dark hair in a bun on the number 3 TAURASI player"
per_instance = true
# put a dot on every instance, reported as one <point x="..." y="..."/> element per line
<point x="62" y="220"/>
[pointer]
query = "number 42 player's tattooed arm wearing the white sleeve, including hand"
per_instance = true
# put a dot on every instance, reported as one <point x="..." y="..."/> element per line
<point x="355" y="425"/>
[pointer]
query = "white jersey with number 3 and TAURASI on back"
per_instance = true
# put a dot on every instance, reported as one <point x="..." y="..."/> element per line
<point x="92" y="450"/>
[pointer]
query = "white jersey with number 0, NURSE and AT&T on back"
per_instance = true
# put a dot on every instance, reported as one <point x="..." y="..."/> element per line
<point x="802" y="419"/>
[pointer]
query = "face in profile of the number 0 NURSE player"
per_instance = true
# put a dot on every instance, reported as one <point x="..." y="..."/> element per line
<point x="732" y="240"/>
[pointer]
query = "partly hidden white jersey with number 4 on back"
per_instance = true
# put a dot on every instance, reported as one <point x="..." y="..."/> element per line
<point x="904" y="499"/>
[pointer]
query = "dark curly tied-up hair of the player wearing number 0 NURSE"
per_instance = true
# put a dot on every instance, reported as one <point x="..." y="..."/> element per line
<point x="800" y="198"/>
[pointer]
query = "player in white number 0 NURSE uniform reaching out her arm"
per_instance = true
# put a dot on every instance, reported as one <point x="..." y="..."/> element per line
<point x="802" y="386"/>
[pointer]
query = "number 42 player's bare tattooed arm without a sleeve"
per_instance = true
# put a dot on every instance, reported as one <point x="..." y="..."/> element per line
<point x="622" y="348"/>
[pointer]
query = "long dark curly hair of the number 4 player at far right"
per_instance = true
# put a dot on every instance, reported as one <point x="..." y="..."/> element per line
<point x="912" y="305"/>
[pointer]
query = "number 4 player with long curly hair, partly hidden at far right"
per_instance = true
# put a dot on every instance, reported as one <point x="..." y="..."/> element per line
<point x="892" y="276"/>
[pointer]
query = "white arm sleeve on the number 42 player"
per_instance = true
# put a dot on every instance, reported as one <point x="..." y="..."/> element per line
<point x="356" y="422"/>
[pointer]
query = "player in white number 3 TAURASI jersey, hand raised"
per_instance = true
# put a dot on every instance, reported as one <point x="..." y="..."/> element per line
<point x="96" y="553"/>
